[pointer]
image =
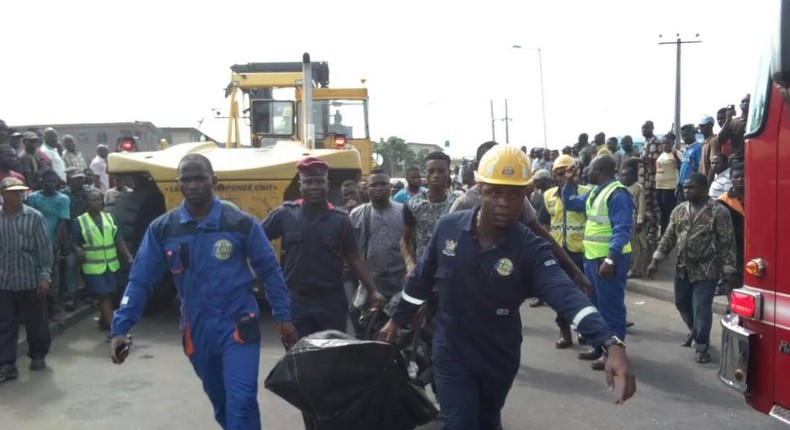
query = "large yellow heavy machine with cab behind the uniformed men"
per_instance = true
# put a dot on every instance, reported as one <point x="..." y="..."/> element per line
<point x="307" y="118"/>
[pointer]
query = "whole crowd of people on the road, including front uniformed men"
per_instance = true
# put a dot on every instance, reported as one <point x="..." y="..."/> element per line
<point x="591" y="216"/>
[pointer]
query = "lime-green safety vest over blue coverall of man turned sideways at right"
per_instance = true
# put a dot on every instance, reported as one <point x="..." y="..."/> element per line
<point x="598" y="229"/>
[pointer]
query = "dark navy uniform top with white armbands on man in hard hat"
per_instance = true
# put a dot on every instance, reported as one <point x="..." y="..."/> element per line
<point x="481" y="291"/>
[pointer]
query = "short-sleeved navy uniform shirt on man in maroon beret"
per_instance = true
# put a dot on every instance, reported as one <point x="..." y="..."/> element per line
<point x="314" y="248"/>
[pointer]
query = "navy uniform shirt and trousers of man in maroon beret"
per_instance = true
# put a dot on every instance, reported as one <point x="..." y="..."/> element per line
<point x="314" y="250"/>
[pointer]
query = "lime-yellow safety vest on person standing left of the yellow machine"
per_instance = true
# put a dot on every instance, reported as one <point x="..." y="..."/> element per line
<point x="99" y="246"/>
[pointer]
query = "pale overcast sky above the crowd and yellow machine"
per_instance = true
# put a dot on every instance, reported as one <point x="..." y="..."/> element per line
<point x="431" y="66"/>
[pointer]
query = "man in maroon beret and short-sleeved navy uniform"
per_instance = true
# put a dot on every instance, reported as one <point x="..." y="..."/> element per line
<point x="317" y="239"/>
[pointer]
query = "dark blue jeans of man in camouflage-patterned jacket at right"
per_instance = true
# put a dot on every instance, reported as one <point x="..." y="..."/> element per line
<point x="694" y="301"/>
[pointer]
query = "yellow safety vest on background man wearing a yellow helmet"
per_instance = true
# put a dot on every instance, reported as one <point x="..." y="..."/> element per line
<point x="567" y="227"/>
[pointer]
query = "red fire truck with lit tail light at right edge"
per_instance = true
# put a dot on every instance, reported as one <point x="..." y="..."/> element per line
<point x="756" y="337"/>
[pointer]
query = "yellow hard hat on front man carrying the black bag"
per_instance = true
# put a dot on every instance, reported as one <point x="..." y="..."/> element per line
<point x="504" y="165"/>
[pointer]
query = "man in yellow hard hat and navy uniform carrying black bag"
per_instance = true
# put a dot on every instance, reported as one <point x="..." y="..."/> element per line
<point x="484" y="264"/>
